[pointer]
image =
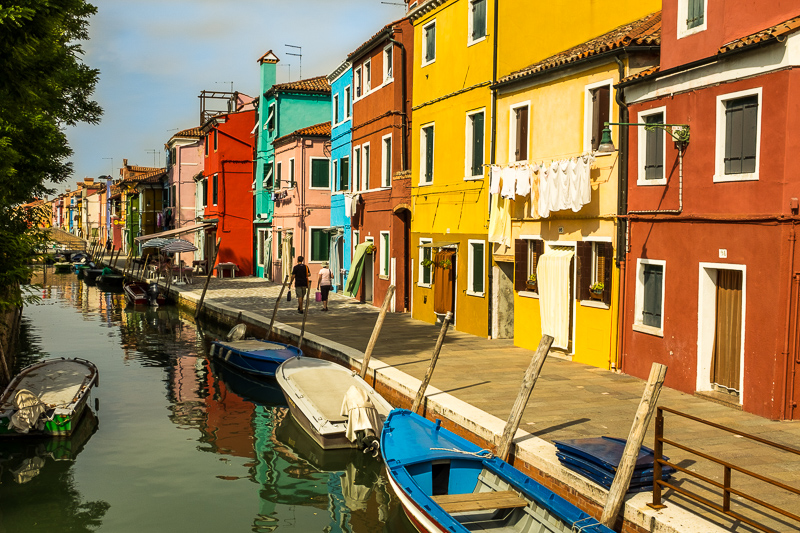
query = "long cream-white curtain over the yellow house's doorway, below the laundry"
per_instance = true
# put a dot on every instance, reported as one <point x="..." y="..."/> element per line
<point x="553" y="276"/>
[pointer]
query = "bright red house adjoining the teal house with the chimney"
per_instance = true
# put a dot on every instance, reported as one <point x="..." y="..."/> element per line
<point x="228" y="185"/>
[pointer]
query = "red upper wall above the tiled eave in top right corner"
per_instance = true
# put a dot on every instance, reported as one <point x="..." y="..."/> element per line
<point x="726" y="20"/>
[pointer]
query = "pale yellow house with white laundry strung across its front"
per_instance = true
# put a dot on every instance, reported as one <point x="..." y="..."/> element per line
<point x="554" y="223"/>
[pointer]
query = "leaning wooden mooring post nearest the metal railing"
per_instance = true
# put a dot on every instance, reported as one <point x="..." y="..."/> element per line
<point x="622" y="479"/>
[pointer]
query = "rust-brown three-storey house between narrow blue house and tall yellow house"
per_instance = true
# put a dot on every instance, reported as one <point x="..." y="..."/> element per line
<point x="380" y="201"/>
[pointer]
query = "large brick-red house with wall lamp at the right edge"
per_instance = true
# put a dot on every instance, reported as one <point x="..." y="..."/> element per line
<point x="711" y="278"/>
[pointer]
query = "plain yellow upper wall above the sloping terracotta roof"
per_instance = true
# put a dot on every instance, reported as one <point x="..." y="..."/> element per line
<point x="531" y="31"/>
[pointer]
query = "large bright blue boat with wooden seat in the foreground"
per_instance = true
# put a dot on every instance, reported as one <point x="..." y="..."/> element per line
<point x="447" y="484"/>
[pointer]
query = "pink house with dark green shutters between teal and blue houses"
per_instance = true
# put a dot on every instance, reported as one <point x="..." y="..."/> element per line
<point x="301" y="223"/>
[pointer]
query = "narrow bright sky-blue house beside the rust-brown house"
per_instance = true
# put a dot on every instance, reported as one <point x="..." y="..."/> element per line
<point x="341" y="81"/>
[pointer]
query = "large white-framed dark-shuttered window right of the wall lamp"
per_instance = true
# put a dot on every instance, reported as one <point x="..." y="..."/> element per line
<point x="738" y="136"/>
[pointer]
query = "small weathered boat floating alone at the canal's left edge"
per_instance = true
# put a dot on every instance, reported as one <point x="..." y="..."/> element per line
<point x="47" y="398"/>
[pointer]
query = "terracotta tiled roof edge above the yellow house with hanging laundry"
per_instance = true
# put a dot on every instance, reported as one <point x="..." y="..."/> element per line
<point x="643" y="32"/>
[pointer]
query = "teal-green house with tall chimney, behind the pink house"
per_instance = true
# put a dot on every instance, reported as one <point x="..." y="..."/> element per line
<point x="282" y="109"/>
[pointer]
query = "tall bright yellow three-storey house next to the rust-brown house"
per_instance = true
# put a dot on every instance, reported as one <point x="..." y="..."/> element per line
<point x="451" y="103"/>
